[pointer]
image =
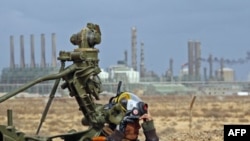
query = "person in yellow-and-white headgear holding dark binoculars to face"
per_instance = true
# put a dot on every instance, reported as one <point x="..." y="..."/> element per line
<point x="136" y="111"/>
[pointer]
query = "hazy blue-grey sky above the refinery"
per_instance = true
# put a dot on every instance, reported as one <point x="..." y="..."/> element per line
<point x="222" y="27"/>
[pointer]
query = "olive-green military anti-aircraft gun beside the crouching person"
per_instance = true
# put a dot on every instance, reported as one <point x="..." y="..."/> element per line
<point x="82" y="81"/>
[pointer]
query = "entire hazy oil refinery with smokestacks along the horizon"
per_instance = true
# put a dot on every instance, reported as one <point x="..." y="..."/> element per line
<point x="192" y="79"/>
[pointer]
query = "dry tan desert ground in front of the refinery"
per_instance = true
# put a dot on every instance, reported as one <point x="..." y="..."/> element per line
<point x="176" y="118"/>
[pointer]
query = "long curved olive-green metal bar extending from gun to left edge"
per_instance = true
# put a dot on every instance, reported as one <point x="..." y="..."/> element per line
<point x="38" y="80"/>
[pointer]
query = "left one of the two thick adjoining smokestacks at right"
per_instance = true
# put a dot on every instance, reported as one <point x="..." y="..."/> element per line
<point x="190" y="58"/>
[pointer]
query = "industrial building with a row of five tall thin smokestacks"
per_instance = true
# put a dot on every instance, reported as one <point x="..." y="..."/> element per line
<point x="16" y="75"/>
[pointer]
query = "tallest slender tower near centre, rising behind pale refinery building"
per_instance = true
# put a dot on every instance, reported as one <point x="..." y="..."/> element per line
<point x="134" y="62"/>
